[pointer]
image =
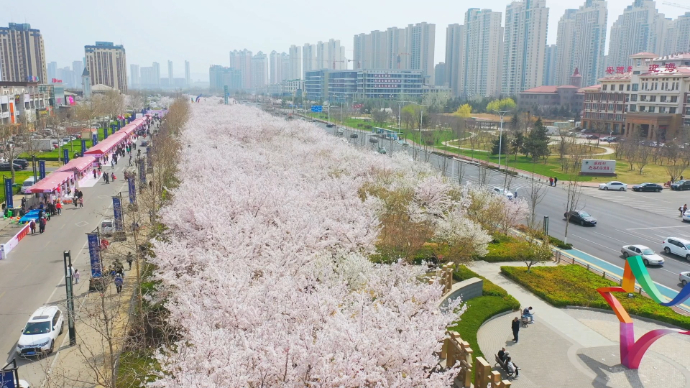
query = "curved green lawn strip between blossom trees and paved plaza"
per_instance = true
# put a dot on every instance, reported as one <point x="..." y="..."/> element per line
<point x="479" y="310"/>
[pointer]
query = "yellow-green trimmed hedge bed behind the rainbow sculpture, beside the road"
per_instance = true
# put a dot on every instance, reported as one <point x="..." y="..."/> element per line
<point x="573" y="285"/>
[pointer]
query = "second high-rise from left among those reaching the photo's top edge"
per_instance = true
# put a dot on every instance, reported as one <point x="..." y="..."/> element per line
<point x="581" y="43"/>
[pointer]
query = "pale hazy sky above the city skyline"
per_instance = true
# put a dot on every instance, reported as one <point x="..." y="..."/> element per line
<point x="204" y="31"/>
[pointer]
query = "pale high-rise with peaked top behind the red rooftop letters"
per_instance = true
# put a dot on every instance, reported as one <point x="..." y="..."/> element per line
<point x="639" y="29"/>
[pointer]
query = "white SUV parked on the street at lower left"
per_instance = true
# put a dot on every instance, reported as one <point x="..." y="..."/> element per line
<point x="41" y="332"/>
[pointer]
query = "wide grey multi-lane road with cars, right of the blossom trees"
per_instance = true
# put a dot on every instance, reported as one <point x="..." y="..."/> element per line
<point x="623" y="218"/>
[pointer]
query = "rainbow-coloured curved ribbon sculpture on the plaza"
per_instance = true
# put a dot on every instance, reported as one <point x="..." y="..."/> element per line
<point x="631" y="351"/>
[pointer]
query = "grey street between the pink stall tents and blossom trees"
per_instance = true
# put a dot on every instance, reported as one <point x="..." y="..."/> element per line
<point x="33" y="274"/>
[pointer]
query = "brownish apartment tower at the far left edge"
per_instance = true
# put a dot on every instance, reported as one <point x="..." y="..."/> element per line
<point x="22" y="53"/>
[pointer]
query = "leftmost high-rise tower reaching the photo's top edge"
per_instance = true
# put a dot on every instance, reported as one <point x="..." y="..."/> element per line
<point x="524" y="45"/>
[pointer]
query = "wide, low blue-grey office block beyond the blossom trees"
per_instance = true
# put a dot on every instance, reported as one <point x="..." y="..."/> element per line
<point x="343" y="85"/>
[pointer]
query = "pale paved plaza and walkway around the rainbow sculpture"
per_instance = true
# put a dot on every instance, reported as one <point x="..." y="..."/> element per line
<point x="577" y="348"/>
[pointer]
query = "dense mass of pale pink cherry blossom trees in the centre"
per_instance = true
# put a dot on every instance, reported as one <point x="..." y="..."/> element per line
<point x="266" y="265"/>
